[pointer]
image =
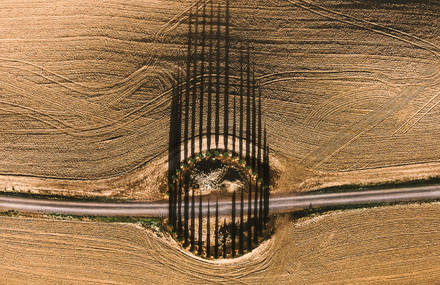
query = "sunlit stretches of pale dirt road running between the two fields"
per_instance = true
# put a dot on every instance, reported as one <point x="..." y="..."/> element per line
<point x="277" y="204"/>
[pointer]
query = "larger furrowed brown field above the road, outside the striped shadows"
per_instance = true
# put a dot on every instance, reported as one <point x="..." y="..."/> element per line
<point x="350" y="91"/>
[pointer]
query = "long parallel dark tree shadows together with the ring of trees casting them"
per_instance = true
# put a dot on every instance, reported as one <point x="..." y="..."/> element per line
<point x="209" y="71"/>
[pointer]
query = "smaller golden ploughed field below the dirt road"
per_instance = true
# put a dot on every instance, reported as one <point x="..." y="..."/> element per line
<point x="386" y="245"/>
